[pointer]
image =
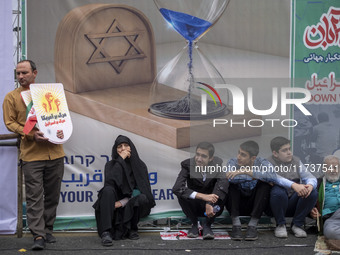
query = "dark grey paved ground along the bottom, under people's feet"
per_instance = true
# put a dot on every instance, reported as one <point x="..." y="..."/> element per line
<point x="151" y="243"/>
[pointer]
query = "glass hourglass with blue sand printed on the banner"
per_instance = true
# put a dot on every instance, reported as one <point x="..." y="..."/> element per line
<point x="184" y="88"/>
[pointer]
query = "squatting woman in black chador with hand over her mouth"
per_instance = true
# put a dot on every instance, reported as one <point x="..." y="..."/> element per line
<point x="126" y="196"/>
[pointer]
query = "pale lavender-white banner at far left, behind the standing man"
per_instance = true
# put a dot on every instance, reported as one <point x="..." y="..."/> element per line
<point x="8" y="155"/>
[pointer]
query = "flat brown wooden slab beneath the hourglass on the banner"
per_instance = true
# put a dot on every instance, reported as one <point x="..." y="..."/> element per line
<point x="127" y="108"/>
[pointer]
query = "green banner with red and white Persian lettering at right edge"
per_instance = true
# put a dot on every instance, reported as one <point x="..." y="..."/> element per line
<point x="315" y="66"/>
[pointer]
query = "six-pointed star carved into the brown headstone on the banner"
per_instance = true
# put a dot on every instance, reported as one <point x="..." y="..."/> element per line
<point x="100" y="55"/>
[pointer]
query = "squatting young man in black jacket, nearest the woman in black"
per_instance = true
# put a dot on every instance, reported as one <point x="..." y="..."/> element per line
<point x="200" y="187"/>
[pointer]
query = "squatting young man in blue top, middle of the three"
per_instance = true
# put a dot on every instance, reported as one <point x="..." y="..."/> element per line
<point x="247" y="196"/>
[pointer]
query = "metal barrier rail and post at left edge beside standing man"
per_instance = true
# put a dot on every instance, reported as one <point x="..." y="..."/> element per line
<point x="16" y="143"/>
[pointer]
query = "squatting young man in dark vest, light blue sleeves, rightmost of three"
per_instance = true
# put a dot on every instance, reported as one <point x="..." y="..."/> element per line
<point x="298" y="197"/>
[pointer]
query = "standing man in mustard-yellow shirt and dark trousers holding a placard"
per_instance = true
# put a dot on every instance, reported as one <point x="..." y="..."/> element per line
<point x="42" y="162"/>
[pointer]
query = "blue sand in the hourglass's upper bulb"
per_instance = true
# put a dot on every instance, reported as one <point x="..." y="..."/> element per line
<point x="190" y="27"/>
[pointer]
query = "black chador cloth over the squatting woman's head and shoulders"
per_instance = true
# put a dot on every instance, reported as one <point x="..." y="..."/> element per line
<point x="135" y="165"/>
